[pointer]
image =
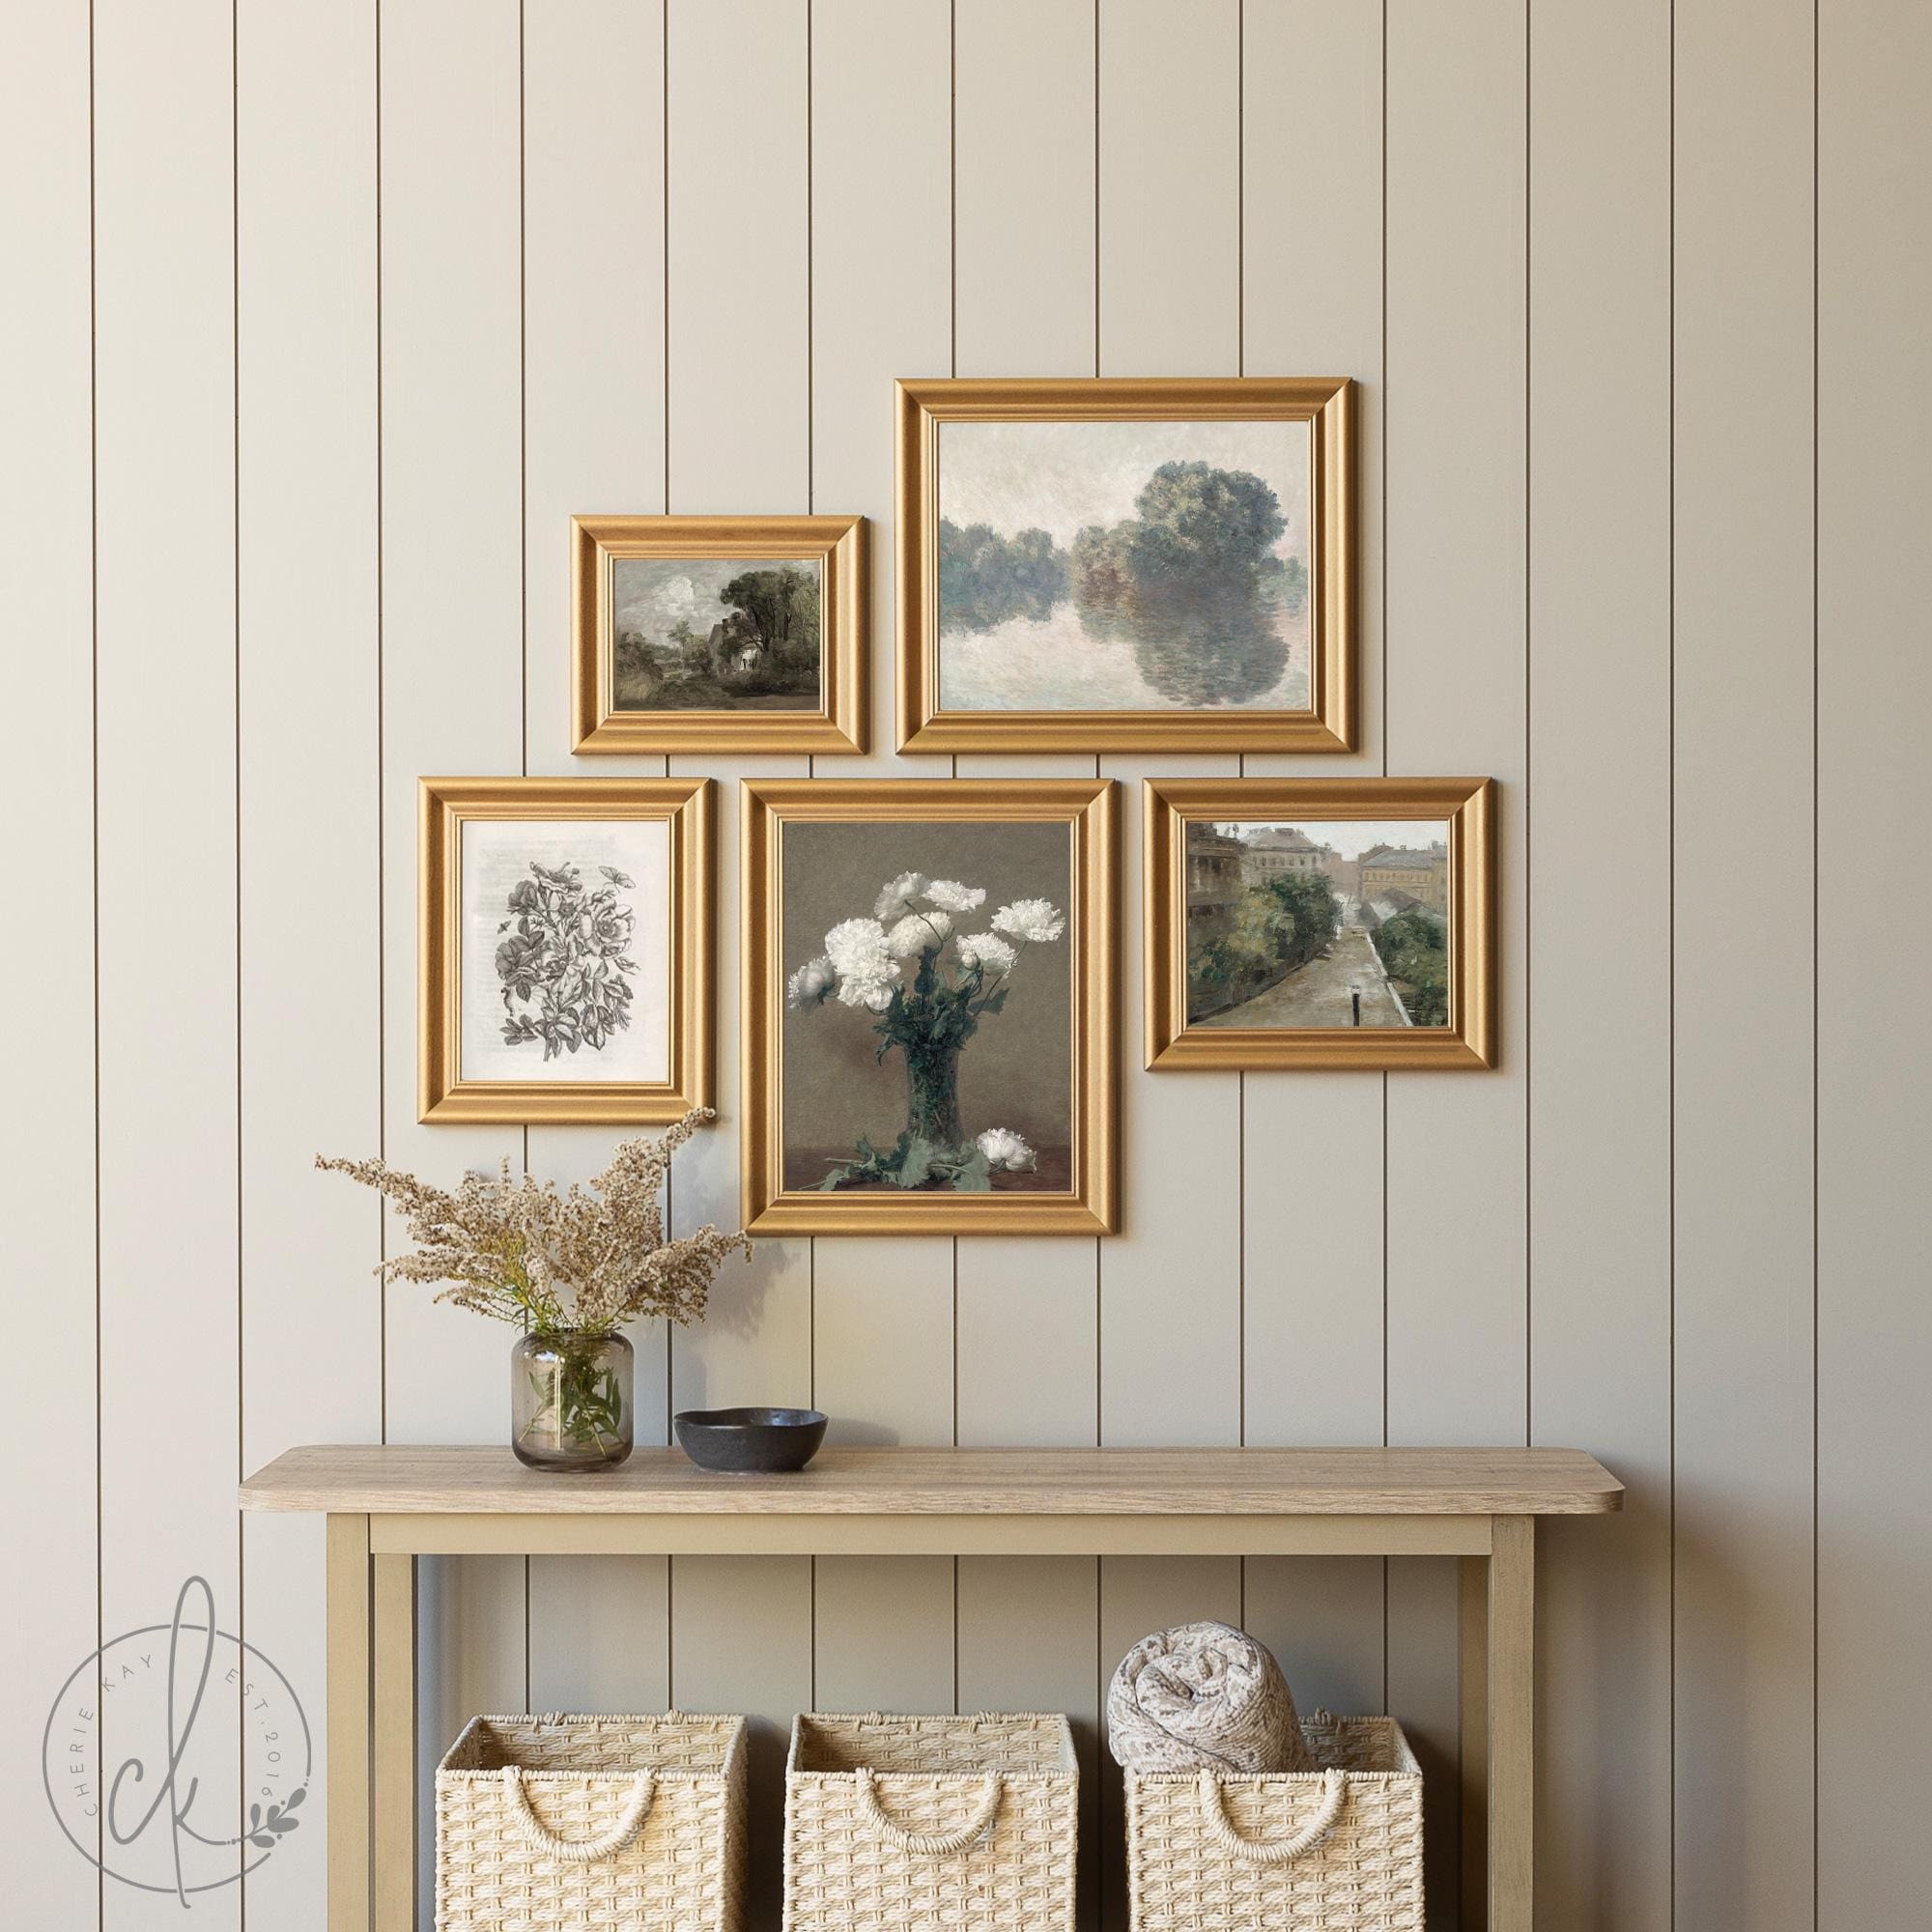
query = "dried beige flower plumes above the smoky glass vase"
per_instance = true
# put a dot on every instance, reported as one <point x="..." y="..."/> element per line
<point x="555" y="1263"/>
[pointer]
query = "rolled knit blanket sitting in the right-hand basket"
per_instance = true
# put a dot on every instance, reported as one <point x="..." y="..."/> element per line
<point x="1205" y="1695"/>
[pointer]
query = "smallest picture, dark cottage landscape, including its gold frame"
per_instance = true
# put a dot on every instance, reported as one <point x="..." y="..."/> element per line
<point x="720" y="633"/>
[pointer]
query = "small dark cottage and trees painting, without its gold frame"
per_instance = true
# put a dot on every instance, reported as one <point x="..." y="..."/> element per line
<point x="716" y="635"/>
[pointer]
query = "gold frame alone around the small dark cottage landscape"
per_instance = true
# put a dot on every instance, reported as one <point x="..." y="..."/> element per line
<point x="836" y="544"/>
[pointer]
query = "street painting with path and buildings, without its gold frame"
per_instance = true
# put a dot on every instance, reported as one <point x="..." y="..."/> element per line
<point x="1319" y="924"/>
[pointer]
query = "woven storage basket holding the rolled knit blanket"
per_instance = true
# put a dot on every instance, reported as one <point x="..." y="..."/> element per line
<point x="1324" y="1852"/>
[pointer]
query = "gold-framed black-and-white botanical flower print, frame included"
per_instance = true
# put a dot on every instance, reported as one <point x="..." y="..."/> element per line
<point x="565" y="950"/>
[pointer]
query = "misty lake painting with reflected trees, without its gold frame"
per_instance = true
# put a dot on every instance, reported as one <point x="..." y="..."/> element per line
<point x="1123" y="567"/>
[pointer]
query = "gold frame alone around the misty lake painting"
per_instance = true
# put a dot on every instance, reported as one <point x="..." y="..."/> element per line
<point x="1324" y="403"/>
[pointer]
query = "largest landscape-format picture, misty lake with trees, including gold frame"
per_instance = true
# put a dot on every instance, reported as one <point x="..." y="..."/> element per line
<point x="1127" y="565"/>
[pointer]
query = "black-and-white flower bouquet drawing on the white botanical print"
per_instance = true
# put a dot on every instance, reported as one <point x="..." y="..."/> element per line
<point x="565" y="961"/>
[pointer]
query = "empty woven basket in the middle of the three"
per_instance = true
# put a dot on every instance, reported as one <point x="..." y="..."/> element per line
<point x="923" y="1823"/>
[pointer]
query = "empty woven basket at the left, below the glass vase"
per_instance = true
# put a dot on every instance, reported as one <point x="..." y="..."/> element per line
<point x="592" y="1825"/>
